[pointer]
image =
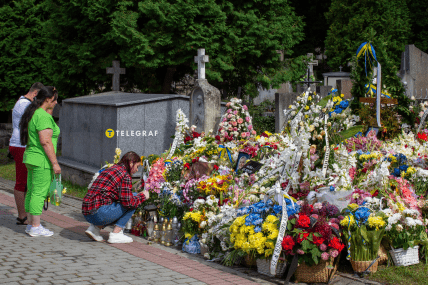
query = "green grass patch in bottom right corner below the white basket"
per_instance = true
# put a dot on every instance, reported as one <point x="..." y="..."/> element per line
<point x="409" y="275"/>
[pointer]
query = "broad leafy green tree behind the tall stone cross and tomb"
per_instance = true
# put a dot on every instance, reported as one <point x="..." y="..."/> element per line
<point x="241" y="38"/>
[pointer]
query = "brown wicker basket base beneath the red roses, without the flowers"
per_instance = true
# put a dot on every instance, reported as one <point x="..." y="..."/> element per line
<point x="320" y="273"/>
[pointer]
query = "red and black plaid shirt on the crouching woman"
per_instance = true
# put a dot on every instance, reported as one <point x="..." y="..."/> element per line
<point x="112" y="185"/>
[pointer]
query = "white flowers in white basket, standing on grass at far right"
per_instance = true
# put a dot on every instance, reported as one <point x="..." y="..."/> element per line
<point x="403" y="234"/>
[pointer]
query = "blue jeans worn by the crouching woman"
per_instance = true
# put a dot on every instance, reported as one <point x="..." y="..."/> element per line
<point x="111" y="214"/>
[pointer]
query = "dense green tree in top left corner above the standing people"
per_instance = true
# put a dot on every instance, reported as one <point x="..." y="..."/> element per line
<point x="21" y="50"/>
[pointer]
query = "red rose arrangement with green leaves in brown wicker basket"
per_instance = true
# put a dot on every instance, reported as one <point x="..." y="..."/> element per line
<point x="314" y="238"/>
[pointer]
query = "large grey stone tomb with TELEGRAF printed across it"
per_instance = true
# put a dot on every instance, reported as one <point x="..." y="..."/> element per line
<point x="143" y="123"/>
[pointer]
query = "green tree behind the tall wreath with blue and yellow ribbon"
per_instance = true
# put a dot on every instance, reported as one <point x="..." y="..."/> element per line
<point x="383" y="23"/>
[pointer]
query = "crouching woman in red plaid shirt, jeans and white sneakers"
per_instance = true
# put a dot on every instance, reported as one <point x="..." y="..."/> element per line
<point x="110" y="199"/>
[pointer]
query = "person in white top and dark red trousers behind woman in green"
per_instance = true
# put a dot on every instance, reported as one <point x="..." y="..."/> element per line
<point x="17" y="150"/>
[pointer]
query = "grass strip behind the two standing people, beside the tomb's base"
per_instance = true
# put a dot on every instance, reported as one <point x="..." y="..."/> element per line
<point x="7" y="171"/>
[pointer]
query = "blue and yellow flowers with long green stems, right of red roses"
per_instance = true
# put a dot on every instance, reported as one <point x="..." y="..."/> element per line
<point x="363" y="230"/>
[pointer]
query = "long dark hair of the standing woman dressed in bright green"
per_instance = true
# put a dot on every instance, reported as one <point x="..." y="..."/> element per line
<point x="43" y="94"/>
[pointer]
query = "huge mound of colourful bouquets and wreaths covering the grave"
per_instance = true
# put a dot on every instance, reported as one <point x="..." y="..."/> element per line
<point x="323" y="189"/>
